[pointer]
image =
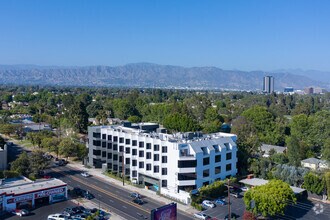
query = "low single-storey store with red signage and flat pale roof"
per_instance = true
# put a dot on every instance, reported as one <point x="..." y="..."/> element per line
<point x="32" y="194"/>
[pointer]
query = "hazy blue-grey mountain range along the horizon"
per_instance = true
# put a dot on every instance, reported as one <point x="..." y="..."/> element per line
<point x="146" y="75"/>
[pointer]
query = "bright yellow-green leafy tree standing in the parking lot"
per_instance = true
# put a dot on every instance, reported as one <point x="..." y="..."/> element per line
<point x="269" y="199"/>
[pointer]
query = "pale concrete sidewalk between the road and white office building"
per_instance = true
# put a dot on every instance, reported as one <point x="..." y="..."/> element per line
<point x="98" y="173"/>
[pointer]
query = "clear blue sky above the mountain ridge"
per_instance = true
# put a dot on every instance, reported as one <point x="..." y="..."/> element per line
<point x="232" y="34"/>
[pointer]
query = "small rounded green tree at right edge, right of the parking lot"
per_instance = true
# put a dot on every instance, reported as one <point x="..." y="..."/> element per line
<point x="314" y="183"/>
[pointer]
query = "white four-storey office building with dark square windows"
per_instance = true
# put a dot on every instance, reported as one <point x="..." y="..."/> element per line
<point x="171" y="163"/>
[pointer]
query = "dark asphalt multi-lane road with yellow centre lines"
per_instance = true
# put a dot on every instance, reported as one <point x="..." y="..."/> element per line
<point x="116" y="198"/>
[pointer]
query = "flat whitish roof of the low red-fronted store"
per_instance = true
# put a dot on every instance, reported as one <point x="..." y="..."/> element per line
<point x="20" y="186"/>
